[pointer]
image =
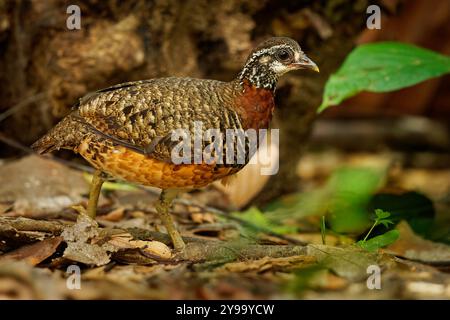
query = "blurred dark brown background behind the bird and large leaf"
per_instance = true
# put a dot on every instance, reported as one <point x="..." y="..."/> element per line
<point x="45" y="67"/>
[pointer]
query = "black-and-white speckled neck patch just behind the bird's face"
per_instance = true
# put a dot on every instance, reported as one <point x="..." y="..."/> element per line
<point x="258" y="75"/>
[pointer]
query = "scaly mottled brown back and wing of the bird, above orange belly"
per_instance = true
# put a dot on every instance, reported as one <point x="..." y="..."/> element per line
<point x="141" y="115"/>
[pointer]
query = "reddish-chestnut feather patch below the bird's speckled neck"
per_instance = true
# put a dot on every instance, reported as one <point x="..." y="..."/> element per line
<point x="256" y="106"/>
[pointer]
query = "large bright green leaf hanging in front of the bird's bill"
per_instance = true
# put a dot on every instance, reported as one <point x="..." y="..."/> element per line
<point x="382" y="67"/>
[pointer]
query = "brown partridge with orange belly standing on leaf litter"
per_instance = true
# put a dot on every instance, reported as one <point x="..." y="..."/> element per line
<point x="124" y="131"/>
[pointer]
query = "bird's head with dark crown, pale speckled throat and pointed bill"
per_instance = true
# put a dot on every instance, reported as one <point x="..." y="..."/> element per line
<point x="273" y="58"/>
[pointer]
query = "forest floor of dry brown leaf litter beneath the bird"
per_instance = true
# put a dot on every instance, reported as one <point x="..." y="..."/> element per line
<point x="281" y="254"/>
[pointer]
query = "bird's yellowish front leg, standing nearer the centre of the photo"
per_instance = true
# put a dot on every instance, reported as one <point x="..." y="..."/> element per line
<point x="162" y="207"/>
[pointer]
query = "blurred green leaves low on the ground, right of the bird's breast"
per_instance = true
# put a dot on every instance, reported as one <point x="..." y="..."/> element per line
<point x="343" y="200"/>
